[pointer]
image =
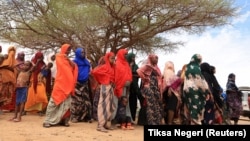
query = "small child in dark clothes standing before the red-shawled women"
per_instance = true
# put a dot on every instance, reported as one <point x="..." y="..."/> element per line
<point x="121" y="117"/>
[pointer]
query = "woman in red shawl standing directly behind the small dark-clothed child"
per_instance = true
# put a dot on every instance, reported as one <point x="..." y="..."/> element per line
<point x="123" y="78"/>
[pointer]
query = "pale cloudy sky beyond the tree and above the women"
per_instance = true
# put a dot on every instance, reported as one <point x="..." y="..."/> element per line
<point x="226" y="48"/>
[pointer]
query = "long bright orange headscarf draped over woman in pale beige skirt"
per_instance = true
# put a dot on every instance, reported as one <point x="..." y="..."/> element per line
<point x="66" y="76"/>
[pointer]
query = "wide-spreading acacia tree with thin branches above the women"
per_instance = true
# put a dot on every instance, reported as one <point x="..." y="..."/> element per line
<point x="108" y="25"/>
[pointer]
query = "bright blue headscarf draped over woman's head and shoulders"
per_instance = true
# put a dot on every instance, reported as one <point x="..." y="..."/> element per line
<point x="83" y="65"/>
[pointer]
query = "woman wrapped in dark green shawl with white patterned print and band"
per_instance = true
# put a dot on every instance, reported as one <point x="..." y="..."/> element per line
<point x="196" y="90"/>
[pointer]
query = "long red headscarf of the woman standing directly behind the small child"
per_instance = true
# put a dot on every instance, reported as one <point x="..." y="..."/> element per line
<point x="123" y="72"/>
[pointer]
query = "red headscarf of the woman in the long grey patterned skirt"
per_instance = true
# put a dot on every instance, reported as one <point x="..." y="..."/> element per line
<point x="104" y="74"/>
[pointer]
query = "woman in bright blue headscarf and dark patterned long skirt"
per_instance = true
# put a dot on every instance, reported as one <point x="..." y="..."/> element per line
<point x="81" y="109"/>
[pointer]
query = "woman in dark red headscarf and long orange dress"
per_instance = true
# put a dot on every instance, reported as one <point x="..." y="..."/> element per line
<point x="37" y="99"/>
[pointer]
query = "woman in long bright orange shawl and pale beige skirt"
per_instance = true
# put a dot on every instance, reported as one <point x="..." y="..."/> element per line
<point x="58" y="109"/>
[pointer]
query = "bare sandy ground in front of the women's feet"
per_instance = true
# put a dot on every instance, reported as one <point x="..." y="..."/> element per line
<point x="31" y="129"/>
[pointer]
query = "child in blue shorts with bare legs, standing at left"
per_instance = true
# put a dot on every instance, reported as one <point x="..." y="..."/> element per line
<point x="21" y="90"/>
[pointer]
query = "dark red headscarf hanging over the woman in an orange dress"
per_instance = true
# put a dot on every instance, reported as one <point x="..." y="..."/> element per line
<point x="37" y="69"/>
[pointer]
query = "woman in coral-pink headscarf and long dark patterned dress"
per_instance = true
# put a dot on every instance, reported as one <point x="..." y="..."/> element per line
<point x="151" y="78"/>
